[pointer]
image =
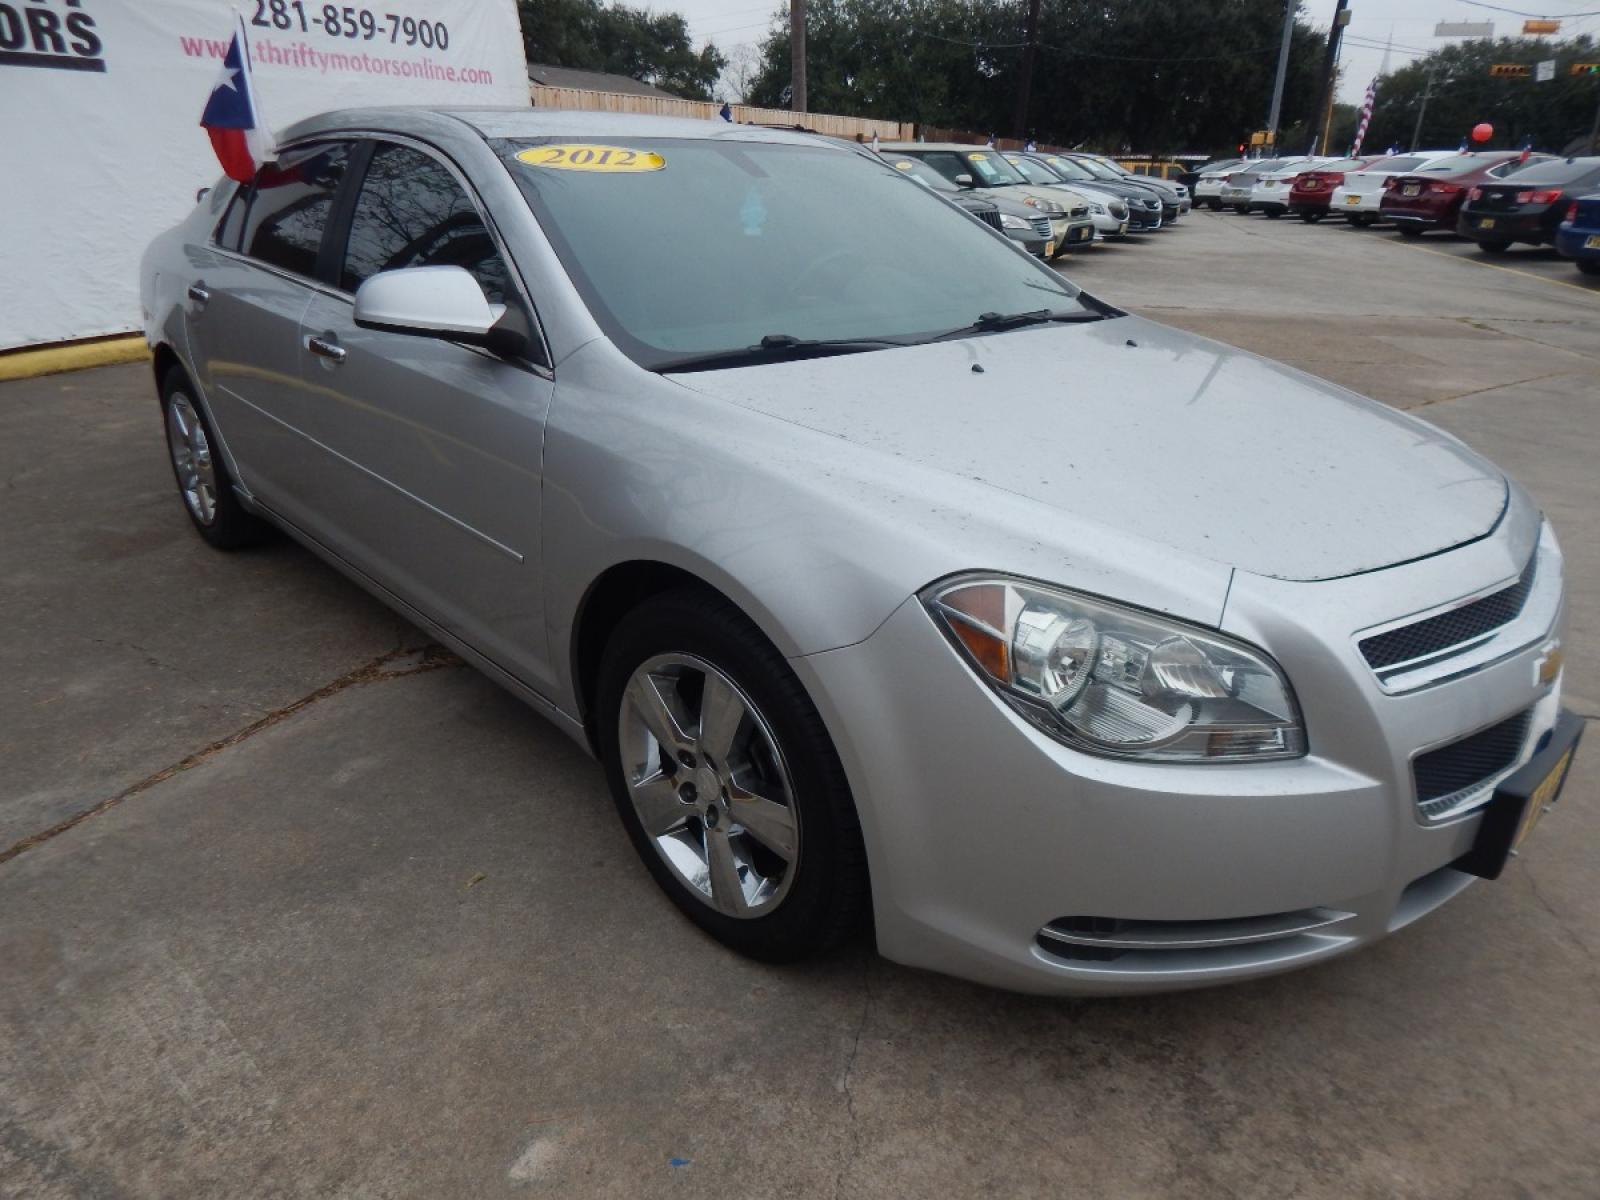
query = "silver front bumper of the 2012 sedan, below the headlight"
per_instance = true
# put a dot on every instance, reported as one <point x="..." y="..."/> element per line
<point x="983" y="831"/>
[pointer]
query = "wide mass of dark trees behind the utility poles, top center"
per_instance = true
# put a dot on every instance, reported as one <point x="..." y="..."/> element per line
<point x="1151" y="74"/>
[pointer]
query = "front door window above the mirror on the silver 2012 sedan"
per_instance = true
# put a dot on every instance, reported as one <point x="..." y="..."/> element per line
<point x="414" y="214"/>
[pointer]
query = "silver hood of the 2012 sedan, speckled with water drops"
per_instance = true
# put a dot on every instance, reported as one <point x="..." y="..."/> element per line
<point x="1153" y="433"/>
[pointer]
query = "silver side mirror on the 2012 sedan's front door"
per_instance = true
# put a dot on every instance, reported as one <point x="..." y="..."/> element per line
<point x="439" y="303"/>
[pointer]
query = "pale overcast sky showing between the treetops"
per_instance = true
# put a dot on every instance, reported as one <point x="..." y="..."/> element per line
<point x="1374" y="23"/>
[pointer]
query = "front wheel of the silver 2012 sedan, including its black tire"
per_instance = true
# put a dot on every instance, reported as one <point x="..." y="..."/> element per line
<point x="671" y="652"/>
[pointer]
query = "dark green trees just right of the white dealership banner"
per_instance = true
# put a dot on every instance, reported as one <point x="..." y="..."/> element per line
<point x="634" y="42"/>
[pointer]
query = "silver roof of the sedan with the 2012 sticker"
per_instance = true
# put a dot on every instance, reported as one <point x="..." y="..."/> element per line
<point x="518" y="122"/>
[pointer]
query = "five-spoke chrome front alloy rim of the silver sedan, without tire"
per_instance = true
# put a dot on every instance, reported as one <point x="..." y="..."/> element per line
<point x="710" y="785"/>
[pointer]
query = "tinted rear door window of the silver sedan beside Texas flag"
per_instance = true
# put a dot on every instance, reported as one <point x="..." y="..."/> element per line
<point x="290" y="207"/>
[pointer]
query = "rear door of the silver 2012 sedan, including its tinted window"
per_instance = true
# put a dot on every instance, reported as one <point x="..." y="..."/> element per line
<point x="246" y="308"/>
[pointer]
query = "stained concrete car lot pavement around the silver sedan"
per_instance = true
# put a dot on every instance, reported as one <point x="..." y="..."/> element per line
<point x="345" y="919"/>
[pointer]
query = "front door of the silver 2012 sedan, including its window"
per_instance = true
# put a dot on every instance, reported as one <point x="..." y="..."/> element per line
<point x="430" y="452"/>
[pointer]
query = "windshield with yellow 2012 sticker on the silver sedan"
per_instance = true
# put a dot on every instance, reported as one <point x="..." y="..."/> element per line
<point x="687" y="249"/>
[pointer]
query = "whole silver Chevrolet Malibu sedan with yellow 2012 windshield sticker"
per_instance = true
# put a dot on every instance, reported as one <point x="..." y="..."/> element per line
<point x="892" y="578"/>
